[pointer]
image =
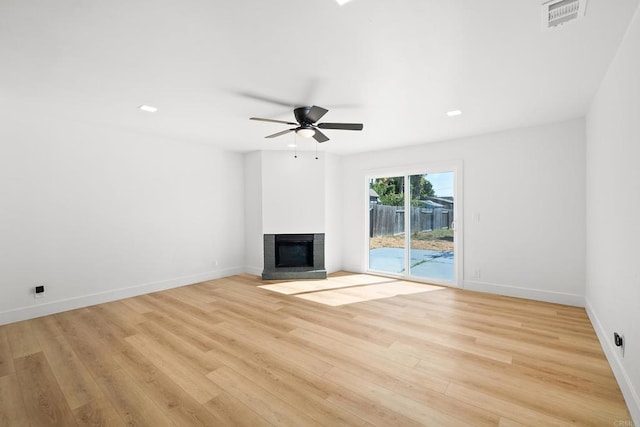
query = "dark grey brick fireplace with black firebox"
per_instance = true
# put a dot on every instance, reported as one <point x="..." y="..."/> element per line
<point x="293" y="256"/>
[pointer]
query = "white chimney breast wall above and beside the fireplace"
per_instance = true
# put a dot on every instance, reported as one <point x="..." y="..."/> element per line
<point x="292" y="195"/>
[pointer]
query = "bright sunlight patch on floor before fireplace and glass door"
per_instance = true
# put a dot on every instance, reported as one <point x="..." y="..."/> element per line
<point x="348" y="289"/>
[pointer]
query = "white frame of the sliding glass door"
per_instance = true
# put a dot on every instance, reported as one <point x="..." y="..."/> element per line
<point x="406" y="171"/>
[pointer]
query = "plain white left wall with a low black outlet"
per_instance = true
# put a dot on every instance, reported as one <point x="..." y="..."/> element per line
<point x="97" y="214"/>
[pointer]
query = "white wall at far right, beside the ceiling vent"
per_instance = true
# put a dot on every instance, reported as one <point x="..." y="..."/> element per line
<point x="613" y="205"/>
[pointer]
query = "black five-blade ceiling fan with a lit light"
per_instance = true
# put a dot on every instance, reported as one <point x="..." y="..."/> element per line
<point x="307" y="127"/>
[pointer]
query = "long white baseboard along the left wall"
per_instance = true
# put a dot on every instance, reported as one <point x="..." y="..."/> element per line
<point x="30" y="312"/>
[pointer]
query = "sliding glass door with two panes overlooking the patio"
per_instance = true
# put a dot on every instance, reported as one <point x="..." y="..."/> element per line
<point x="412" y="221"/>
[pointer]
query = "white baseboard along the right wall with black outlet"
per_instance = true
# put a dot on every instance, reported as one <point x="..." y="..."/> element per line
<point x="626" y="386"/>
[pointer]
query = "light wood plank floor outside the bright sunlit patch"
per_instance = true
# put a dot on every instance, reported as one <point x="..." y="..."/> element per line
<point x="228" y="352"/>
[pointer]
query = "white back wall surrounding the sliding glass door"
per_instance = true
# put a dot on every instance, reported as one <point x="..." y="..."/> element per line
<point x="526" y="185"/>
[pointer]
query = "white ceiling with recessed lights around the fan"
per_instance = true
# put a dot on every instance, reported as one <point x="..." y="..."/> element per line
<point x="397" y="66"/>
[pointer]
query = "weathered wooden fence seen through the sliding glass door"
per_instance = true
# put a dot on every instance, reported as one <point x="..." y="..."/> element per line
<point x="389" y="220"/>
